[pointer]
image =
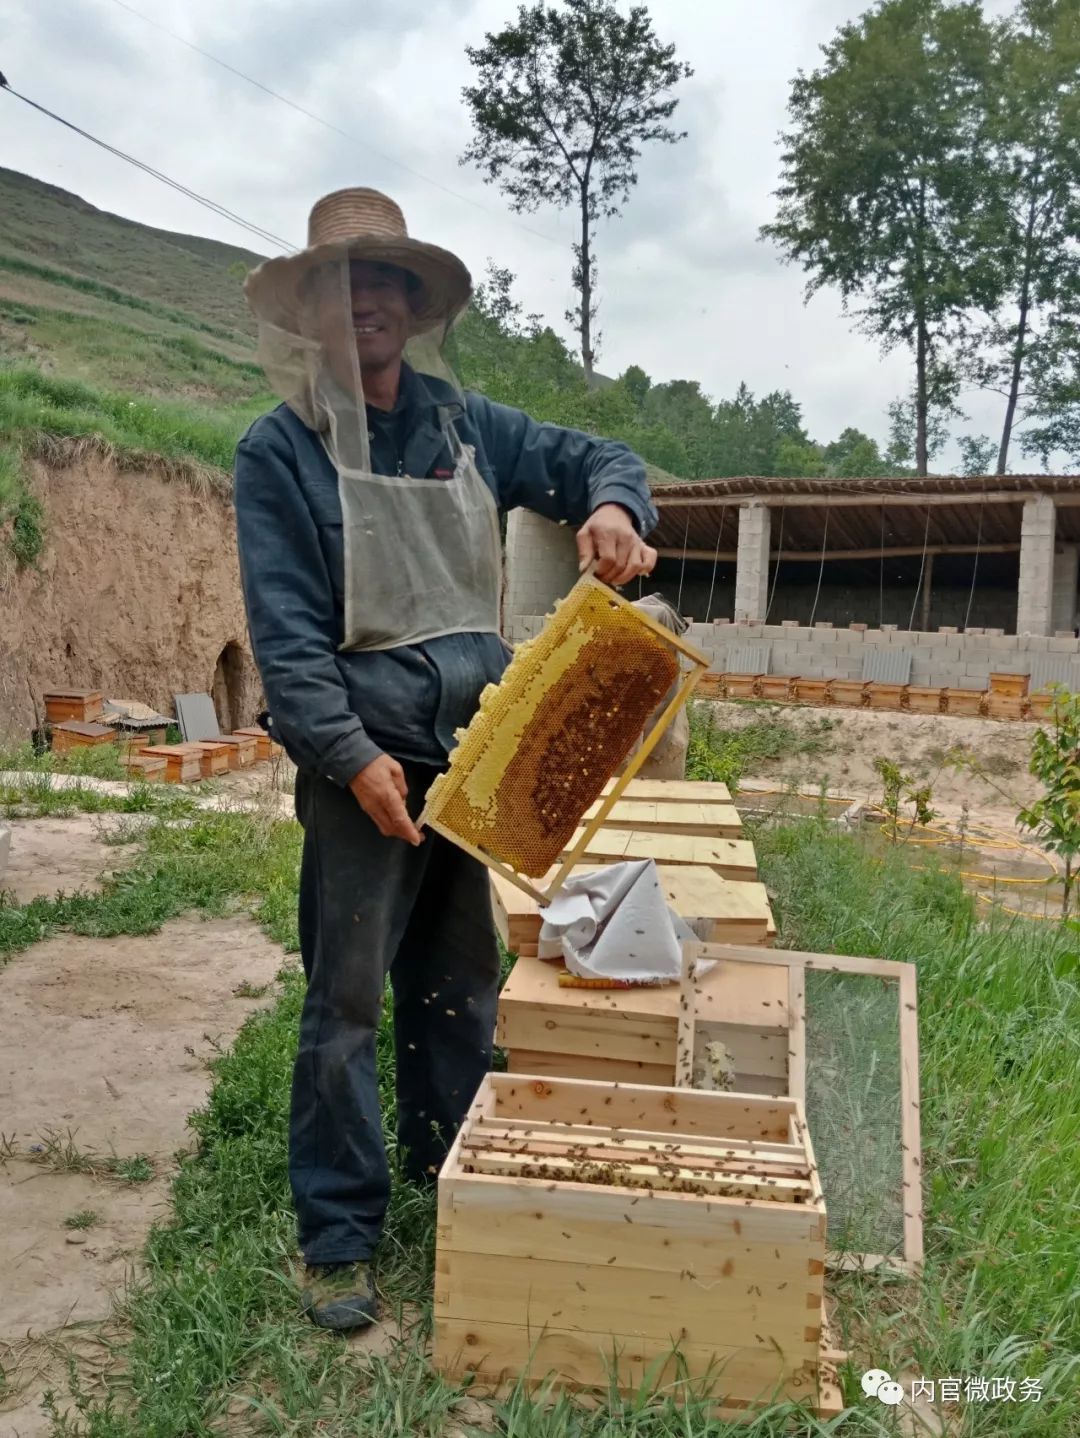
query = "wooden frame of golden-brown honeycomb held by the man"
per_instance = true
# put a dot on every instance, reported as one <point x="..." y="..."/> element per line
<point x="549" y="738"/>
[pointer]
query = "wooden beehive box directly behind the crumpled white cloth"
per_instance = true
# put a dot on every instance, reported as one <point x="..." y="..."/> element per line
<point x="718" y="910"/>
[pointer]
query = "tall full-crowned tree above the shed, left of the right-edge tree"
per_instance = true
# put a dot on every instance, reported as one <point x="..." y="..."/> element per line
<point x="885" y="182"/>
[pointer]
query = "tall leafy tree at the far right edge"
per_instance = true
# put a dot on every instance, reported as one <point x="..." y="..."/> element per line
<point x="1036" y="132"/>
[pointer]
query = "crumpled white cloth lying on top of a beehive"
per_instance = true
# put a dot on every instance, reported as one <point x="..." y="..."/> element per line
<point x="615" y="924"/>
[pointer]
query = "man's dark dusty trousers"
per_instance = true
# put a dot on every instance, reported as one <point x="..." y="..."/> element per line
<point x="376" y="908"/>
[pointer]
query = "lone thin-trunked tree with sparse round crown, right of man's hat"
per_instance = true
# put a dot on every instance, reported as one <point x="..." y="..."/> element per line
<point x="562" y="107"/>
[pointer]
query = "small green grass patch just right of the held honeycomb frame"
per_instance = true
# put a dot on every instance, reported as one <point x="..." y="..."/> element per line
<point x="724" y="753"/>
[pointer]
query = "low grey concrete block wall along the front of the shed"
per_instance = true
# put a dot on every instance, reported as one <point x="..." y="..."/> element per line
<point x="938" y="659"/>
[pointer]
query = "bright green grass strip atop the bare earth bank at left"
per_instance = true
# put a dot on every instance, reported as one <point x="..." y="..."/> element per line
<point x="34" y="405"/>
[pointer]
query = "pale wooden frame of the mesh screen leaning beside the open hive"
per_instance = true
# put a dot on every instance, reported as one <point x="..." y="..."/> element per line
<point x="891" y="989"/>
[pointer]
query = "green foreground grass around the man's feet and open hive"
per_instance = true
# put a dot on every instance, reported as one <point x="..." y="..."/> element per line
<point x="214" y="1332"/>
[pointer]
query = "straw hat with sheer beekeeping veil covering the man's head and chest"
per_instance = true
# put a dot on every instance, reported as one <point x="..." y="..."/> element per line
<point x="422" y="556"/>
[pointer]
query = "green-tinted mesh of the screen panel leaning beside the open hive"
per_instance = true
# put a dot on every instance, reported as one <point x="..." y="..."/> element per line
<point x="854" y="1108"/>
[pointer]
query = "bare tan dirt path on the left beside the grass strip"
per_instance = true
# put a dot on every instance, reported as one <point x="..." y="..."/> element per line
<point x="103" y="1056"/>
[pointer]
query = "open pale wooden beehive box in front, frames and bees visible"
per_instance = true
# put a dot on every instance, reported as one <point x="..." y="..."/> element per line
<point x="589" y="1232"/>
